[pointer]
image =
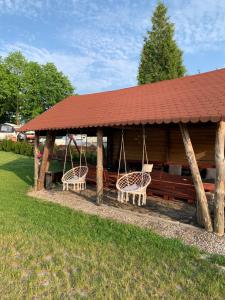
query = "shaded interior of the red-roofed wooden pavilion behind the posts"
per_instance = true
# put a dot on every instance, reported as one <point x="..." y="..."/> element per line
<point x="171" y="193"/>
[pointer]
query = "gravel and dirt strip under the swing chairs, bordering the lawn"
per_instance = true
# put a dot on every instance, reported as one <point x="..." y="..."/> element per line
<point x="172" y="219"/>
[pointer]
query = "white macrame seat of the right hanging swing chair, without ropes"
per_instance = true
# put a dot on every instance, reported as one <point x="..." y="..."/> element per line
<point x="133" y="184"/>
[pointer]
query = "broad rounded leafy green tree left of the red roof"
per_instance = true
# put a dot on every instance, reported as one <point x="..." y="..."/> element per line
<point x="28" y="88"/>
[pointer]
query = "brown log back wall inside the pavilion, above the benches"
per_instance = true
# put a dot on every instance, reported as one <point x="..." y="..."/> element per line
<point x="164" y="144"/>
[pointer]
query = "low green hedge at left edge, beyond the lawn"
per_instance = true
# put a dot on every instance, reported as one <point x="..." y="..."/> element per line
<point x="22" y="148"/>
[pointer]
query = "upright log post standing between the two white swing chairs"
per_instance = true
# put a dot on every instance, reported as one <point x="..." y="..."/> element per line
<point x="99" y="171"/>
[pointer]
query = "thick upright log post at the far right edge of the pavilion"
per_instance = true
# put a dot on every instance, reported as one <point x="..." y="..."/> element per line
<point x="220" y="179"/>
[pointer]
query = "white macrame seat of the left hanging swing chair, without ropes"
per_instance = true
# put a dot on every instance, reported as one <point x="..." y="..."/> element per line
<point x="75" y="177"/>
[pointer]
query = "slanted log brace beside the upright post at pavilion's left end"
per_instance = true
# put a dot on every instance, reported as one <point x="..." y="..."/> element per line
<point x="49" y="144"/>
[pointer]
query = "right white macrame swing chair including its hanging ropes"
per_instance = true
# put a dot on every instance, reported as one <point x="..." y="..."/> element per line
<point x="134" y="183"/>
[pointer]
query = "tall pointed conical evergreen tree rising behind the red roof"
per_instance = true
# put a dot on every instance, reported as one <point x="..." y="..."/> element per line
<point x="161" y="58"/>
